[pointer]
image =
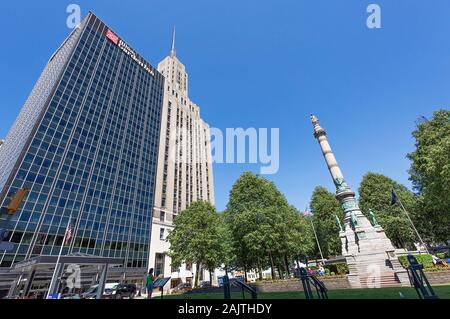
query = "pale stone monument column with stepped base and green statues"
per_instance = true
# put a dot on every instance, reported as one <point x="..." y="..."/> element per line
<point x="369" y="253"/>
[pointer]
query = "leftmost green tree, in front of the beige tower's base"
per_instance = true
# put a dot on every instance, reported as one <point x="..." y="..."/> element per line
<point x="198" y="238"/>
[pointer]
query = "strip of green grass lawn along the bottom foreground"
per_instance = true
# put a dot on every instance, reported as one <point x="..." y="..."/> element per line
<point x="386" y="293"/>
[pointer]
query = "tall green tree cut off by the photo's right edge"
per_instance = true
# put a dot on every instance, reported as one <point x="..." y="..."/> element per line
<point x="430" y="174"/>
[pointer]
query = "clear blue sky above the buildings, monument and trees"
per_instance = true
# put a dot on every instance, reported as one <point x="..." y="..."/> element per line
<point x="270" y="64"/>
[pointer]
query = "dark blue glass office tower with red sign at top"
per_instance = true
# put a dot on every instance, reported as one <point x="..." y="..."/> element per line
<point x="86" y="146"/>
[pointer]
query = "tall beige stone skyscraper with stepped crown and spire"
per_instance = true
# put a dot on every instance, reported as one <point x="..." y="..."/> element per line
<point x="185" y="173"/>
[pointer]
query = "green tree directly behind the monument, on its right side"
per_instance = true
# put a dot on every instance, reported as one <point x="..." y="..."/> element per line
<point x="375" y="193"/>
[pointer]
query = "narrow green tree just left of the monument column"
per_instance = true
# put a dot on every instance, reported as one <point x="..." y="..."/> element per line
<point x="325" y="207"/>
